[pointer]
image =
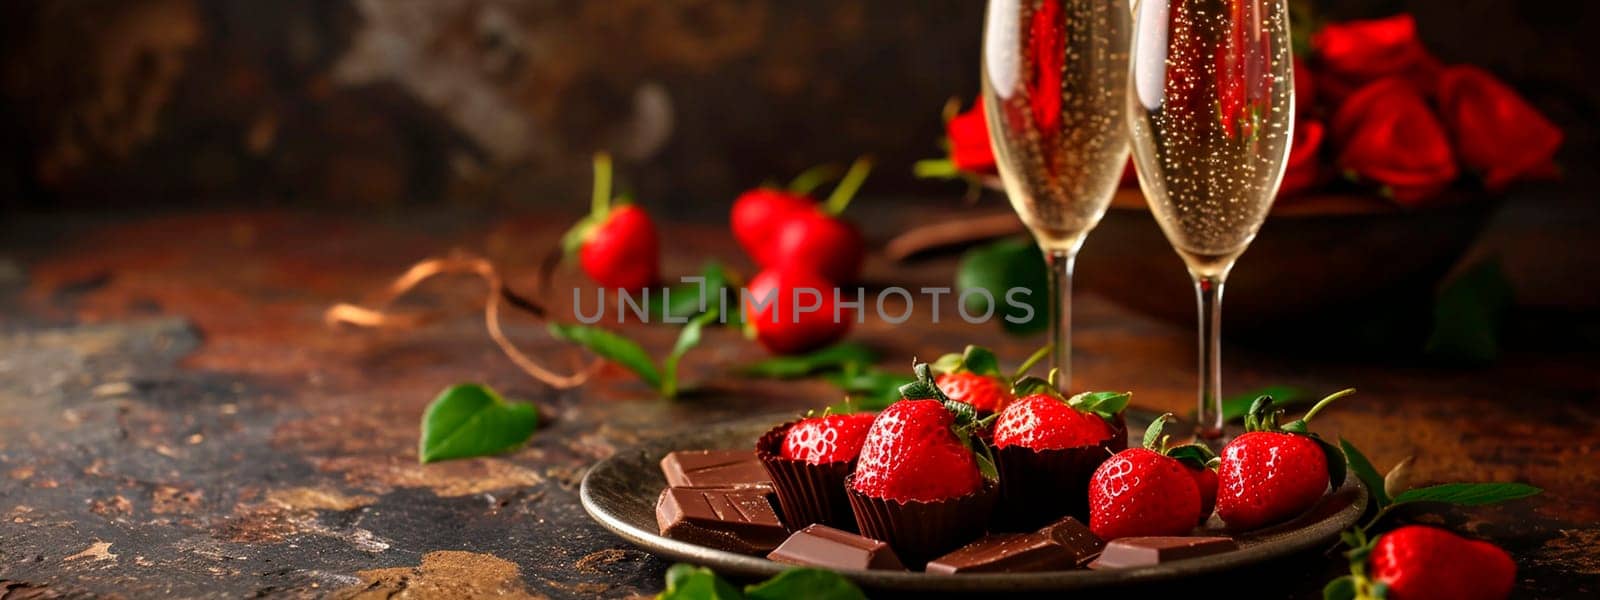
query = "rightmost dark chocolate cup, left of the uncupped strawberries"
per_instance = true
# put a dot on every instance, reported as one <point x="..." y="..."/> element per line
<point x="1039" y="487"/>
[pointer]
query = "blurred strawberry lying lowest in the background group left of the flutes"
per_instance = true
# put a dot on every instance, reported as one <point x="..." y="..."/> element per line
<point x="777" y="321"/>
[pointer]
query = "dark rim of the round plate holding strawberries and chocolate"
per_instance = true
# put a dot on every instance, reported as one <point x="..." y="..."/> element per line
<point x="732" y="564"/>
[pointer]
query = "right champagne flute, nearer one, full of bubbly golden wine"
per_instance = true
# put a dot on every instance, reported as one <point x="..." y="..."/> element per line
<point x="1212" y="111"/>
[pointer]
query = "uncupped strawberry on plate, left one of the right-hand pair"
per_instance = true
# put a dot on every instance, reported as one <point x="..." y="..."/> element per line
<point x="1142" y="492"/>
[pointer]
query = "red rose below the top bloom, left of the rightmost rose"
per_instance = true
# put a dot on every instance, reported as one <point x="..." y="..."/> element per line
<point x="1388" y="135"/>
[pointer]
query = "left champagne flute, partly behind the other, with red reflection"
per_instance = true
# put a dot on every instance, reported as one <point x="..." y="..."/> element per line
<point x="1055" y="76"/>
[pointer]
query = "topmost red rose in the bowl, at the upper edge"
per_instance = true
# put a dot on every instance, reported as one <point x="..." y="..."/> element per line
<point x="1356" y="54"/>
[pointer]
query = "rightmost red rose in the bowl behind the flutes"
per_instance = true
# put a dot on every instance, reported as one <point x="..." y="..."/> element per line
<point x="1497" y="132"/>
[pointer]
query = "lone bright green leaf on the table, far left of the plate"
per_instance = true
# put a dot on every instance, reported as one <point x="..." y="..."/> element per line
<point x="471" y="420"/>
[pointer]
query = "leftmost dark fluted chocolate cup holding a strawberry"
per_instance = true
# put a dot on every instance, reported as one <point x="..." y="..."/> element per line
<point x="807" y="494"/>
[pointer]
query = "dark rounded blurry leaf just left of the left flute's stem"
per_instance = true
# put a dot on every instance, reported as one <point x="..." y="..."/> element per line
<point x="999" y="268"/>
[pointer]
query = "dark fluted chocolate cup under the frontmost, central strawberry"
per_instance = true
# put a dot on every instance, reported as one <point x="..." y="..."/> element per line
<point x="921" y="532"/>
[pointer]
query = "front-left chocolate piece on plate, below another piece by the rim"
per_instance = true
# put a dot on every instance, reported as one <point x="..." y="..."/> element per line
<point x="737" y="521"/>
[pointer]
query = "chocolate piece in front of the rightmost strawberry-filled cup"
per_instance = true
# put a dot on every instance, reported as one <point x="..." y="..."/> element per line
<point x="1063" y="545"/>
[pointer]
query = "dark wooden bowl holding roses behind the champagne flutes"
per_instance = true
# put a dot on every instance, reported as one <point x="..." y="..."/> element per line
<point x="1316" y="262"/>
